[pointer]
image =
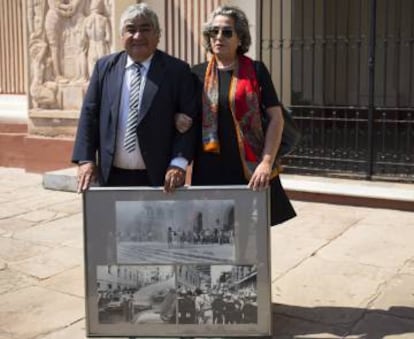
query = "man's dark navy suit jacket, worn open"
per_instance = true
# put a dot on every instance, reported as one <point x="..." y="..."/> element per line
<point x="169" y="89"/>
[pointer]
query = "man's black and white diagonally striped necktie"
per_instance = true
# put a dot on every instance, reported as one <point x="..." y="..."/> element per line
<point x="132" y="122"/>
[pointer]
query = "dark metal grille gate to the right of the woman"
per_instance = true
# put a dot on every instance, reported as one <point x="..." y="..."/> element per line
<point x="352" y="80"/>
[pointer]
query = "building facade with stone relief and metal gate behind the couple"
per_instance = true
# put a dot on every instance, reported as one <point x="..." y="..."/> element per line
<point x="348" y="79"/>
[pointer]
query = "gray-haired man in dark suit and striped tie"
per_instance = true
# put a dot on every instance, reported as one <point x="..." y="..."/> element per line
<point x="126" y="134"/>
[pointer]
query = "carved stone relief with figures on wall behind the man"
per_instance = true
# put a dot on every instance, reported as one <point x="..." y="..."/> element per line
<point x="66" y="37"/>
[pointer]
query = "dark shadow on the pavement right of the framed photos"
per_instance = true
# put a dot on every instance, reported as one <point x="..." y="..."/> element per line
<point x="322" y="322"/>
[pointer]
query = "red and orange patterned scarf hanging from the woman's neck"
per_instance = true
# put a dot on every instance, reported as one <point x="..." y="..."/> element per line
<point x="244" y="99"/>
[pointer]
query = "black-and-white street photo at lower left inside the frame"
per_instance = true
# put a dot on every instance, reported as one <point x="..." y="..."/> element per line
<point x="136" y="294"/>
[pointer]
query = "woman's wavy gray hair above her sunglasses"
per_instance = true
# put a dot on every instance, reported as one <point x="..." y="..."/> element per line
<point x="241" y="25"/>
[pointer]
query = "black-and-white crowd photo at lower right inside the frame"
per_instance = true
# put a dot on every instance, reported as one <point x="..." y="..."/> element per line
<point x="217" y="294"/>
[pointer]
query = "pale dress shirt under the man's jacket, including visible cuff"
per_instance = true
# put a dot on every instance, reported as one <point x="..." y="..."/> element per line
<point x="134" y="159"/>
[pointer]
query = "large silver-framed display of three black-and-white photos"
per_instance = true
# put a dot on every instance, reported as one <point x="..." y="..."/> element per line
<point x="194" y="263"/>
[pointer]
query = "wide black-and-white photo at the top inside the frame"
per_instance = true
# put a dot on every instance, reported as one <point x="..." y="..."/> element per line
<point x="198" y="231"/>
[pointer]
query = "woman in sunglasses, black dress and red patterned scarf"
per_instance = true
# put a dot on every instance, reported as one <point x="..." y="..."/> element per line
<point x="234" y="149"/>
